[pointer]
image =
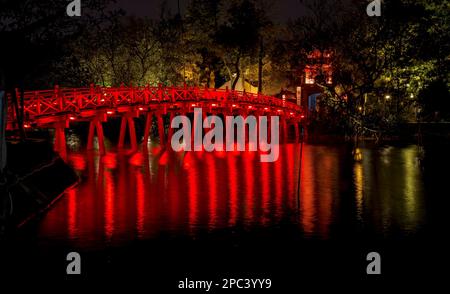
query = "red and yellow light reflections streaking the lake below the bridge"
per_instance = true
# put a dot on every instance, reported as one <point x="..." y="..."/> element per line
<point x="126" y="197"/>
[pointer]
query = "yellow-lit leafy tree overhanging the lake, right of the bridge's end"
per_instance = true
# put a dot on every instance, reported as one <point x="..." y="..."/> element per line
<point x="380" y="64"/>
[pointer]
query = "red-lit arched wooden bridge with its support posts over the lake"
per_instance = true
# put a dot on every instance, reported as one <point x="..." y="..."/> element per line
<point x="58" y="107"/>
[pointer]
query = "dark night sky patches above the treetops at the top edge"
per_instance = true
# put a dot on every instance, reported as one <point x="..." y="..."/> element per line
<point x="284" y="9"/>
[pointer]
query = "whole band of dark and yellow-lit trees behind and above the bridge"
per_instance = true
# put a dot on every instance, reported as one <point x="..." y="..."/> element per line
<point x="387" y="70"/>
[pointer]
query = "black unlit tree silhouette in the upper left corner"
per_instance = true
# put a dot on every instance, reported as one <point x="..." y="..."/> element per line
<point x="33" y="35"/>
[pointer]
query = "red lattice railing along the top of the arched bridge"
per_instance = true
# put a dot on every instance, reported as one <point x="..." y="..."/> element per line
<point x="74" y="100"/>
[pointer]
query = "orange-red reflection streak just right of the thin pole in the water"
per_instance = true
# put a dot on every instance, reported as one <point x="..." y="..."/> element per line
<point x="307" y="192"/>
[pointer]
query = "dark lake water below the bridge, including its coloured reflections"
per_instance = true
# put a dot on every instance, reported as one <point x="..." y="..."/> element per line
<point x="163" y="216"/>
